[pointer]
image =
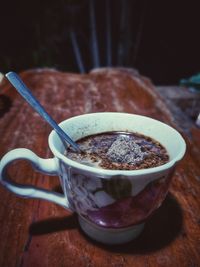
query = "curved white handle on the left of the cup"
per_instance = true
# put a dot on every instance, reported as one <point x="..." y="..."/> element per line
<point x="47" y="166"/>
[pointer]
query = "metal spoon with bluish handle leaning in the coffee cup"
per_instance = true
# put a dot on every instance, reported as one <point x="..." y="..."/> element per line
<point x="19" y="85"/>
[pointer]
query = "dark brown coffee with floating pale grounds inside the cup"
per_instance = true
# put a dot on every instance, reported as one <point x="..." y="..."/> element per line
<point x="119" y="151"/>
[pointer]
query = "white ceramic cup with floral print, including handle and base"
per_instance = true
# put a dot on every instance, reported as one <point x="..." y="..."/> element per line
<point x="112" y="205"/>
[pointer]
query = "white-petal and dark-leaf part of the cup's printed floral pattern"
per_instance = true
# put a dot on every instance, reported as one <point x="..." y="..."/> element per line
<point x="87" y="192"/>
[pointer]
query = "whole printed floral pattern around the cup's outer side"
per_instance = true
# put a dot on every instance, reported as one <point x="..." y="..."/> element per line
<point x="109" y="202"/>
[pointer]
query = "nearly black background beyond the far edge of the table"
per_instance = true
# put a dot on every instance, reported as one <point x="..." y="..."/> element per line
<point x="159" y="38"/>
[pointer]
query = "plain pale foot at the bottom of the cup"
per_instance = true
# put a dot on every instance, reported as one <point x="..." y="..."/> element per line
<point x="111" y="236"/>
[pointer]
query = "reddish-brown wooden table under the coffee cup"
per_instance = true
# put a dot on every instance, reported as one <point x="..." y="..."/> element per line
<point x="39" y="233"/>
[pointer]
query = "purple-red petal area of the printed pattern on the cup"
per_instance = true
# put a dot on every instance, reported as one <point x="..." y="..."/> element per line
<point x="133" y="209"/>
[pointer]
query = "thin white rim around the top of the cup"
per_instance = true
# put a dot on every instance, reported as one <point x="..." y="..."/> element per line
<point x="107" y="172"/>
